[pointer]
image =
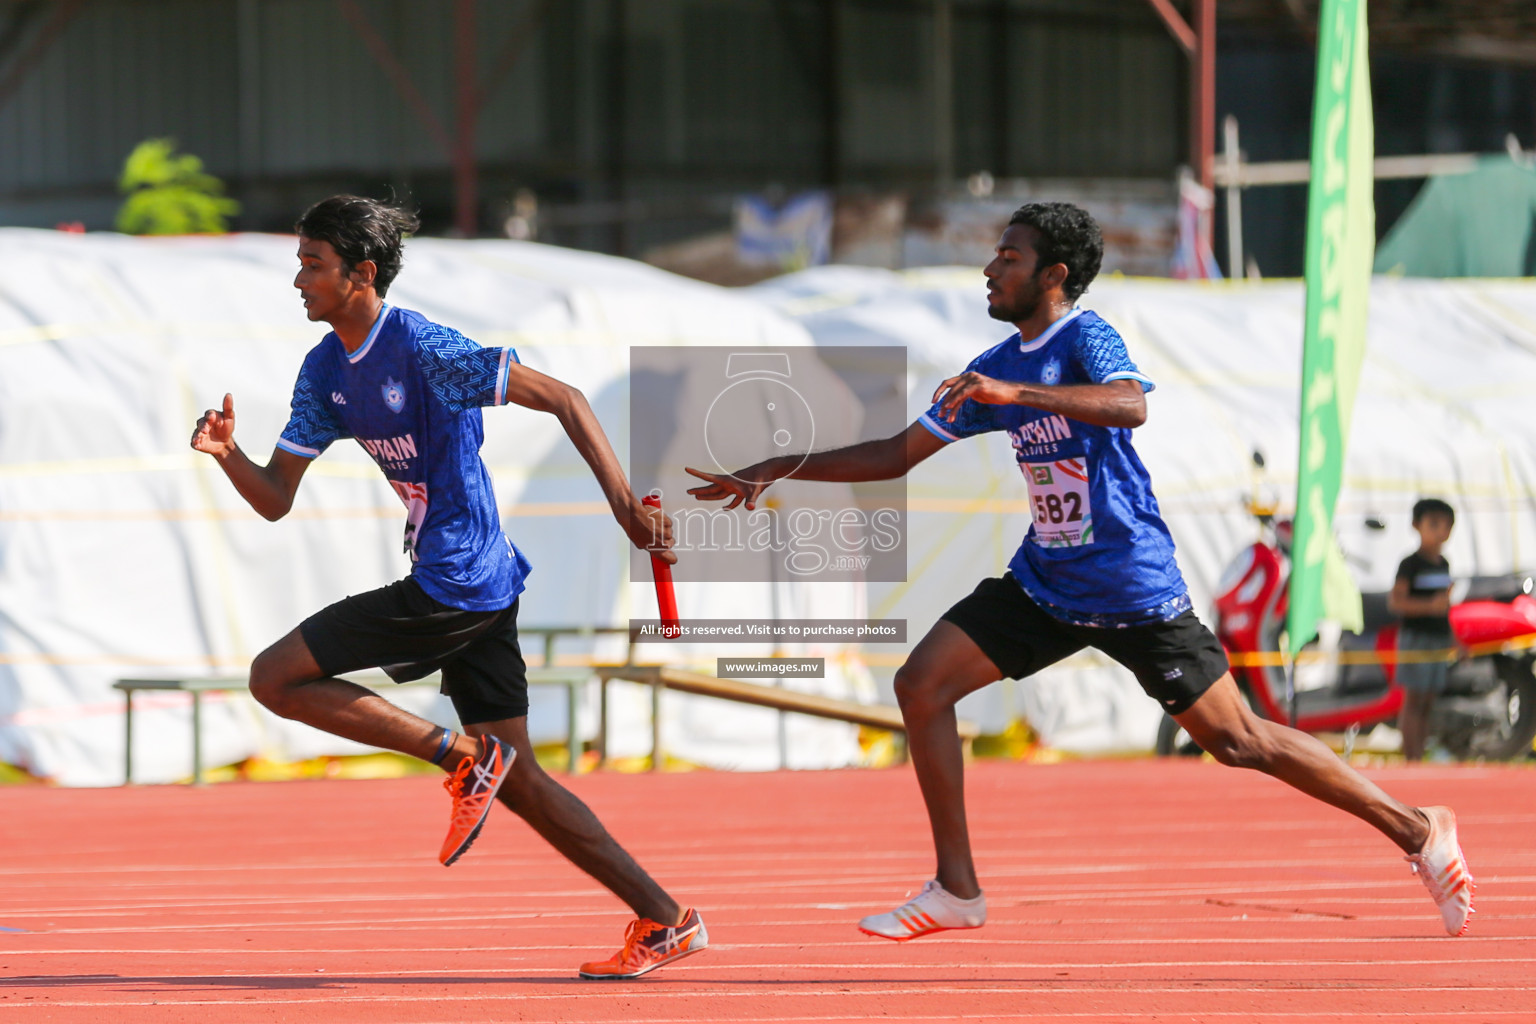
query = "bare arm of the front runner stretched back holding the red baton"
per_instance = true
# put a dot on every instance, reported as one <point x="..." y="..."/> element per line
<point x="545" y="394"/>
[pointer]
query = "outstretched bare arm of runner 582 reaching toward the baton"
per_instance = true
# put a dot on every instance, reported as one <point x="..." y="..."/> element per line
<point x="866" y="461"/>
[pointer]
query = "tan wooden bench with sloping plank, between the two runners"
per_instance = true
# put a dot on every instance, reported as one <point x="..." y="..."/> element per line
<point x="663" y="678"/>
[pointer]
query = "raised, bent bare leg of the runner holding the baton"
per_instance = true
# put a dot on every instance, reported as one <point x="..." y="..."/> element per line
<point x="288" y="682"/>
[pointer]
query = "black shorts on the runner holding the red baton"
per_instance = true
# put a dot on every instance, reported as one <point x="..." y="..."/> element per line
<point x="411" y="635"/>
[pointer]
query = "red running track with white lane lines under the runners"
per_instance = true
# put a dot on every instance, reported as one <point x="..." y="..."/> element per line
<point x="1121" y="891"/>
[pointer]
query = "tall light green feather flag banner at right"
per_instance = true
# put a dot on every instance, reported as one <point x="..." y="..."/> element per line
<point x="1342" y="239"/>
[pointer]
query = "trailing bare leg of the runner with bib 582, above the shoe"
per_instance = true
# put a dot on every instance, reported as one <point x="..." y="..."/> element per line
<point x="1222" y="724"/>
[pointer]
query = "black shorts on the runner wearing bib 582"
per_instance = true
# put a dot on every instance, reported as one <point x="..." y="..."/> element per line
<point x="1174" y="661"/>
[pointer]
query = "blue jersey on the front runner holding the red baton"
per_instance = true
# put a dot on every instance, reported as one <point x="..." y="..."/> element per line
<point x="412" y="397"/>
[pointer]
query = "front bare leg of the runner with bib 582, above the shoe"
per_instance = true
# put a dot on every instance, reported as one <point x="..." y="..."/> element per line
<point x="944" y="667"/>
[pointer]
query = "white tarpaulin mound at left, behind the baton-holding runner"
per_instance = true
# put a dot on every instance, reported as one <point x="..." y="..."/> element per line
<point x="124" y="553"/>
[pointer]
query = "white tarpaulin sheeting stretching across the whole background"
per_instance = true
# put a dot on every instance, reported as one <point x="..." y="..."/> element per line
<point x="125" y="553"/>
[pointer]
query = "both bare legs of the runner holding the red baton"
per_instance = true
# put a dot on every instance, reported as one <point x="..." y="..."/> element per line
<point x="288" y="682"/>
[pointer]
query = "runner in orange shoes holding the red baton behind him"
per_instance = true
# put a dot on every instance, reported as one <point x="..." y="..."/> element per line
<point x="411" y="394"/>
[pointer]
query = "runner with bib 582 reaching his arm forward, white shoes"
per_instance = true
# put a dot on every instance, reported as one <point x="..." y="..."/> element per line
<point x="1096" y="569"/>
